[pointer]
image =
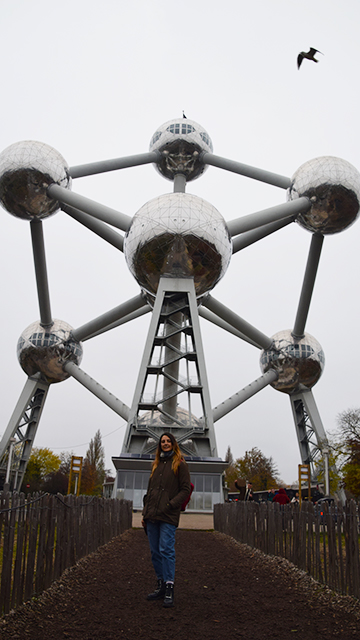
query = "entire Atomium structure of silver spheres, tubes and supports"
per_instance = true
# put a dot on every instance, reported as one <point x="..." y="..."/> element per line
<point x="177" y="247"/>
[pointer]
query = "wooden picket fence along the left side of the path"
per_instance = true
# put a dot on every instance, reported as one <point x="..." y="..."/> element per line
<point x="42" y="535"/>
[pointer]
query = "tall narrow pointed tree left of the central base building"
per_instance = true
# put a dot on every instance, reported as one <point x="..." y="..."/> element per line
<point x="93" y="471"/>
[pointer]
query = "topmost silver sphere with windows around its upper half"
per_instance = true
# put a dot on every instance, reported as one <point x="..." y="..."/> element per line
<point x="181" y="142"/>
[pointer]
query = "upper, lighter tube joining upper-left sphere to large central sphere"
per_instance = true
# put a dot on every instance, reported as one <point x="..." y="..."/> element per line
<point x="95" y="209"/>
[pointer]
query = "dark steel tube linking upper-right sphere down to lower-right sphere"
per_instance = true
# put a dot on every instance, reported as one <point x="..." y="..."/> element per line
<point x="308" y="285"/>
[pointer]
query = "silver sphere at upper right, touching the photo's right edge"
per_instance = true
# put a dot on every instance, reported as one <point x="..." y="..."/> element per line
<point x="333" y="187"/>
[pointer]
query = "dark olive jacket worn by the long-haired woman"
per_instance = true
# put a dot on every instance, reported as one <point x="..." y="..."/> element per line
<point x="166" y="492"/>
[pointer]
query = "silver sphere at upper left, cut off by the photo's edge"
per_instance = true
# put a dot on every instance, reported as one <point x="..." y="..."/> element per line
<point x="27" y="169"/>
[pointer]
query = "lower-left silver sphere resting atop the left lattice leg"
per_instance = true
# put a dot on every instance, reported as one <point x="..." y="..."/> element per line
<point x="44" y="351"/>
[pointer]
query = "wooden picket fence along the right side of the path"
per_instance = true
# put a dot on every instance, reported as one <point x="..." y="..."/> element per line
<point x="324" y="543"/>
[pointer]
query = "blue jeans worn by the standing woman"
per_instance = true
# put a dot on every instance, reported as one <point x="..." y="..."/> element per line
<point x="161" y="536"/>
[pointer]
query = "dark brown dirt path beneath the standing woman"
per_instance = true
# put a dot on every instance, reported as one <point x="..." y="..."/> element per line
<point x="223" y="590"/>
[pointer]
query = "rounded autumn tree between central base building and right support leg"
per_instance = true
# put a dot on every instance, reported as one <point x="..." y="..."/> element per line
<point x="258" y="469"/>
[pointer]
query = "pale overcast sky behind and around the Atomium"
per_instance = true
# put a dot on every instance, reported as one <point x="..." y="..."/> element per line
<point x="95" y="80"/>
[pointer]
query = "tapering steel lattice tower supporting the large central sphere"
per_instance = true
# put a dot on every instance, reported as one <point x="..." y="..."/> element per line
<point x="173" y="364"/>
